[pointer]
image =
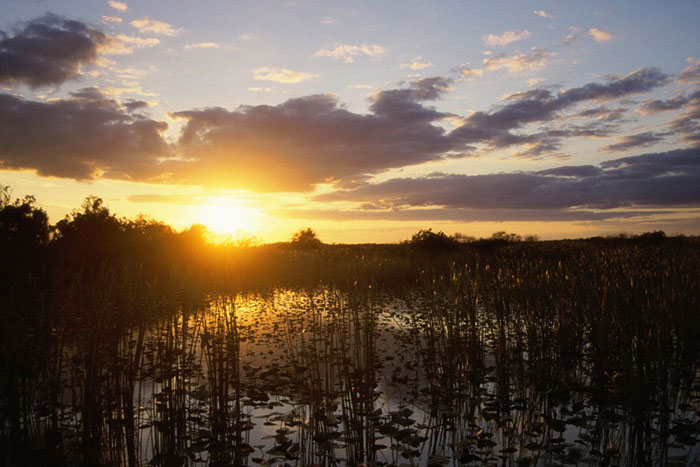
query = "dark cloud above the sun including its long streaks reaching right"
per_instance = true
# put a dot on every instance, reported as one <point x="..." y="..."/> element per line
<point x="305" y="141"/>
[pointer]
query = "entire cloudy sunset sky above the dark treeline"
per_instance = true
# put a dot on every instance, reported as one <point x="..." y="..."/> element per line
<point x="366" y="121"/>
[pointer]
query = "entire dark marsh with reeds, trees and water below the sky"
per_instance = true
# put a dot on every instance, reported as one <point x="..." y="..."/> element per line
<point x="123" y="342"/>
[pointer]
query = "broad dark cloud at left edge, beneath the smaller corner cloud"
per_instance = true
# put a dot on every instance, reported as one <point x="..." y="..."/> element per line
<point x="85" y="137"/>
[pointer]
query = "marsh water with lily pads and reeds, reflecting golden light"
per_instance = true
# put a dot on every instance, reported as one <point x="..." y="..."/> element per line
<point x="323" y="376"/>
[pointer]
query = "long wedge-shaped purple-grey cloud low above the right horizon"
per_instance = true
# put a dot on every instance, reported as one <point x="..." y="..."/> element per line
<point x="658" y="179"/>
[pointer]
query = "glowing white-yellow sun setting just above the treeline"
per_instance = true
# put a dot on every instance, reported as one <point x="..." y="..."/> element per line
<point x="229" y="217"/>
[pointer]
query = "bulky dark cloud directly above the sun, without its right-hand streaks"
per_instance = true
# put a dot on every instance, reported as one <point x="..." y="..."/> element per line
<point x="310" y="140"/>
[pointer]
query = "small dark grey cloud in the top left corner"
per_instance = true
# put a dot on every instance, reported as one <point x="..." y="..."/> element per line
<point x="48" y="51"/>
